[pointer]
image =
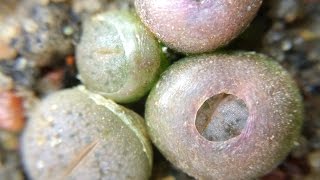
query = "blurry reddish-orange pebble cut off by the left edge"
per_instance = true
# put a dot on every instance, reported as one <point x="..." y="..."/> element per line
<point x="11" y="112"/>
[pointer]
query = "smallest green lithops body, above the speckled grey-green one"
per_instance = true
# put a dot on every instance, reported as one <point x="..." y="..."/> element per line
<point x="118" y="57"/>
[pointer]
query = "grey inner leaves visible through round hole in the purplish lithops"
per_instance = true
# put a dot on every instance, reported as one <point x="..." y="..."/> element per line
<point x="221" y="117"/>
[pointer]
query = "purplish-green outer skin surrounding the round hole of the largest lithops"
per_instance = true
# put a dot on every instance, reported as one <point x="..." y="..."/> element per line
<point x="273" y="124"/>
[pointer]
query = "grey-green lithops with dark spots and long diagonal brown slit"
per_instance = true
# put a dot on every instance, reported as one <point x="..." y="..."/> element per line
<point x="76" y="134"/>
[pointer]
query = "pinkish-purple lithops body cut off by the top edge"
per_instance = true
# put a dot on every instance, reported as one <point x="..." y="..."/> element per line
<point x="192" y="26"/>
